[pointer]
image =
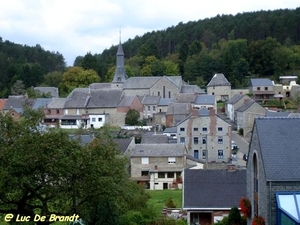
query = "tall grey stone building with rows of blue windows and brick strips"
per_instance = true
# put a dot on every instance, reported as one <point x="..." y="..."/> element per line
<point x="206" y="136"/>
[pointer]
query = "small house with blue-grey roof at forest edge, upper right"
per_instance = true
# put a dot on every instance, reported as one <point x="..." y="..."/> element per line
<point x="262" y="89"/>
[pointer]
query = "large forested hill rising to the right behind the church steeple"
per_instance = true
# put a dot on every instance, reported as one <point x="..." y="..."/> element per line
<point x="240" y="45"/>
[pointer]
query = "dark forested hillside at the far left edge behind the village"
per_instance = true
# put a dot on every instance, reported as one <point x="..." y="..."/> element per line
<point x="26" y="63"/>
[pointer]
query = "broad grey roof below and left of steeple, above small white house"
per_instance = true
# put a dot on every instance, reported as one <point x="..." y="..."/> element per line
<point x="105" y="98"/>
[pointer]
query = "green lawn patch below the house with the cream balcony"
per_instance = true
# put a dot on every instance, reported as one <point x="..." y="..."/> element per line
<point x="158" y="198"/>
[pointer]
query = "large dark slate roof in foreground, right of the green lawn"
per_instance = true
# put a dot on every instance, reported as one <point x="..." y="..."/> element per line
<point x="213" y="188"/>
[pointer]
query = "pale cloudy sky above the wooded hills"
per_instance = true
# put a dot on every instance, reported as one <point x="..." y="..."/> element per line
<point x="74" y="27"/>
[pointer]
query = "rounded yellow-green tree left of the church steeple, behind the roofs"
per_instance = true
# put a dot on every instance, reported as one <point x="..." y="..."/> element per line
<point x="78" y="77"/>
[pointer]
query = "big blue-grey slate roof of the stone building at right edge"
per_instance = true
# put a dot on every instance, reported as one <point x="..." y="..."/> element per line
<point x="279" y="146"/>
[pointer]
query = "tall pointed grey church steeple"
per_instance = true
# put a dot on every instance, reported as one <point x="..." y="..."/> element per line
<point x="120" y="72"/>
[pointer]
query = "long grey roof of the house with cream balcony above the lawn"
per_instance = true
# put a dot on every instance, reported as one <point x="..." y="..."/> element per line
<point x="158" y="150"/>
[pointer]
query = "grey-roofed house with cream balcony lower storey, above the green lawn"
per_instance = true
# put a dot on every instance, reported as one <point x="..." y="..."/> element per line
<point x="158" y="166"/>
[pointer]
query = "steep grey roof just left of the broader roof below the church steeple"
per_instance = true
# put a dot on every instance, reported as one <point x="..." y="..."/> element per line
<point x="78" y="98"/>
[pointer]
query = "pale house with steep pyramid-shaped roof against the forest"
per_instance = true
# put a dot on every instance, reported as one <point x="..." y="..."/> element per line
<point x="220" y="87"/>
